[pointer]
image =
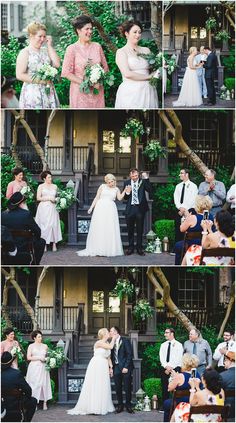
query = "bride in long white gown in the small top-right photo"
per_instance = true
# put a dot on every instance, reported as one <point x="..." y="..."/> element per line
<point x="190" y="93"/>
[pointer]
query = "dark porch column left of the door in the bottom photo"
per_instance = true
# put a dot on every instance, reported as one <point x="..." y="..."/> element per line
<point x="58" y="301"/>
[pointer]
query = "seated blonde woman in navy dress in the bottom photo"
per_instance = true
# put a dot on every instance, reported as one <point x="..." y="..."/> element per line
<point x="180" y="381"/>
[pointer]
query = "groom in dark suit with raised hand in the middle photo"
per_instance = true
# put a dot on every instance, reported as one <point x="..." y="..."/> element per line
<point x="136" y="207"/>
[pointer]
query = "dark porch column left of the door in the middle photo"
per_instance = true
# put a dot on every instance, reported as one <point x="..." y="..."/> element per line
<point x="68" y="143"/>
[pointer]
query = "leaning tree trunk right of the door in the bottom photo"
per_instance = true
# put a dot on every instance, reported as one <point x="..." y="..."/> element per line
<point x="163" y="287"/>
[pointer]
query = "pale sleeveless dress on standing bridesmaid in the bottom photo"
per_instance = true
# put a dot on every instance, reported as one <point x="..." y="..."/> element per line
<point x="38" y="377"/>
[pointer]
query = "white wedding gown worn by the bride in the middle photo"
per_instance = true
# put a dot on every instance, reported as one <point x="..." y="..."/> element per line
<point x="104" y="233"/>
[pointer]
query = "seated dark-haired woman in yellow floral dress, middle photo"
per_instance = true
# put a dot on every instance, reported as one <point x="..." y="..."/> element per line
<point x="223" y="237"/>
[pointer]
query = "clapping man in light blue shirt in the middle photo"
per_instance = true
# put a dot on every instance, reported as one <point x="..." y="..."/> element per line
<point x="214" y="189"/>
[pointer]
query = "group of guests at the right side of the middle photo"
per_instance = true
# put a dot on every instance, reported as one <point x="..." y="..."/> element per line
<point x="203" y="210"/>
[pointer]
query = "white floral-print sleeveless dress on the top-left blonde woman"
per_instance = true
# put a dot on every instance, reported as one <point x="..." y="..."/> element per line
<point x="34" y="96"/>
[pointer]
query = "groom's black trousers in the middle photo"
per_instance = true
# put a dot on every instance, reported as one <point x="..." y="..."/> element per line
<point x="135" y="217"/>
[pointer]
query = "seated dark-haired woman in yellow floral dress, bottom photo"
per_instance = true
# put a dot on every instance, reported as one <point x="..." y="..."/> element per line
<point x="211" y="394"/>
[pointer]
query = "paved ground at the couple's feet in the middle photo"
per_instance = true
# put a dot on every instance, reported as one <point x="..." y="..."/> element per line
<point x="66" y="256"/>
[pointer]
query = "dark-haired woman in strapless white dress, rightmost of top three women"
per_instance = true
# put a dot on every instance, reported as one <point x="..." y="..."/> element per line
<point x="135" y="92"/>
